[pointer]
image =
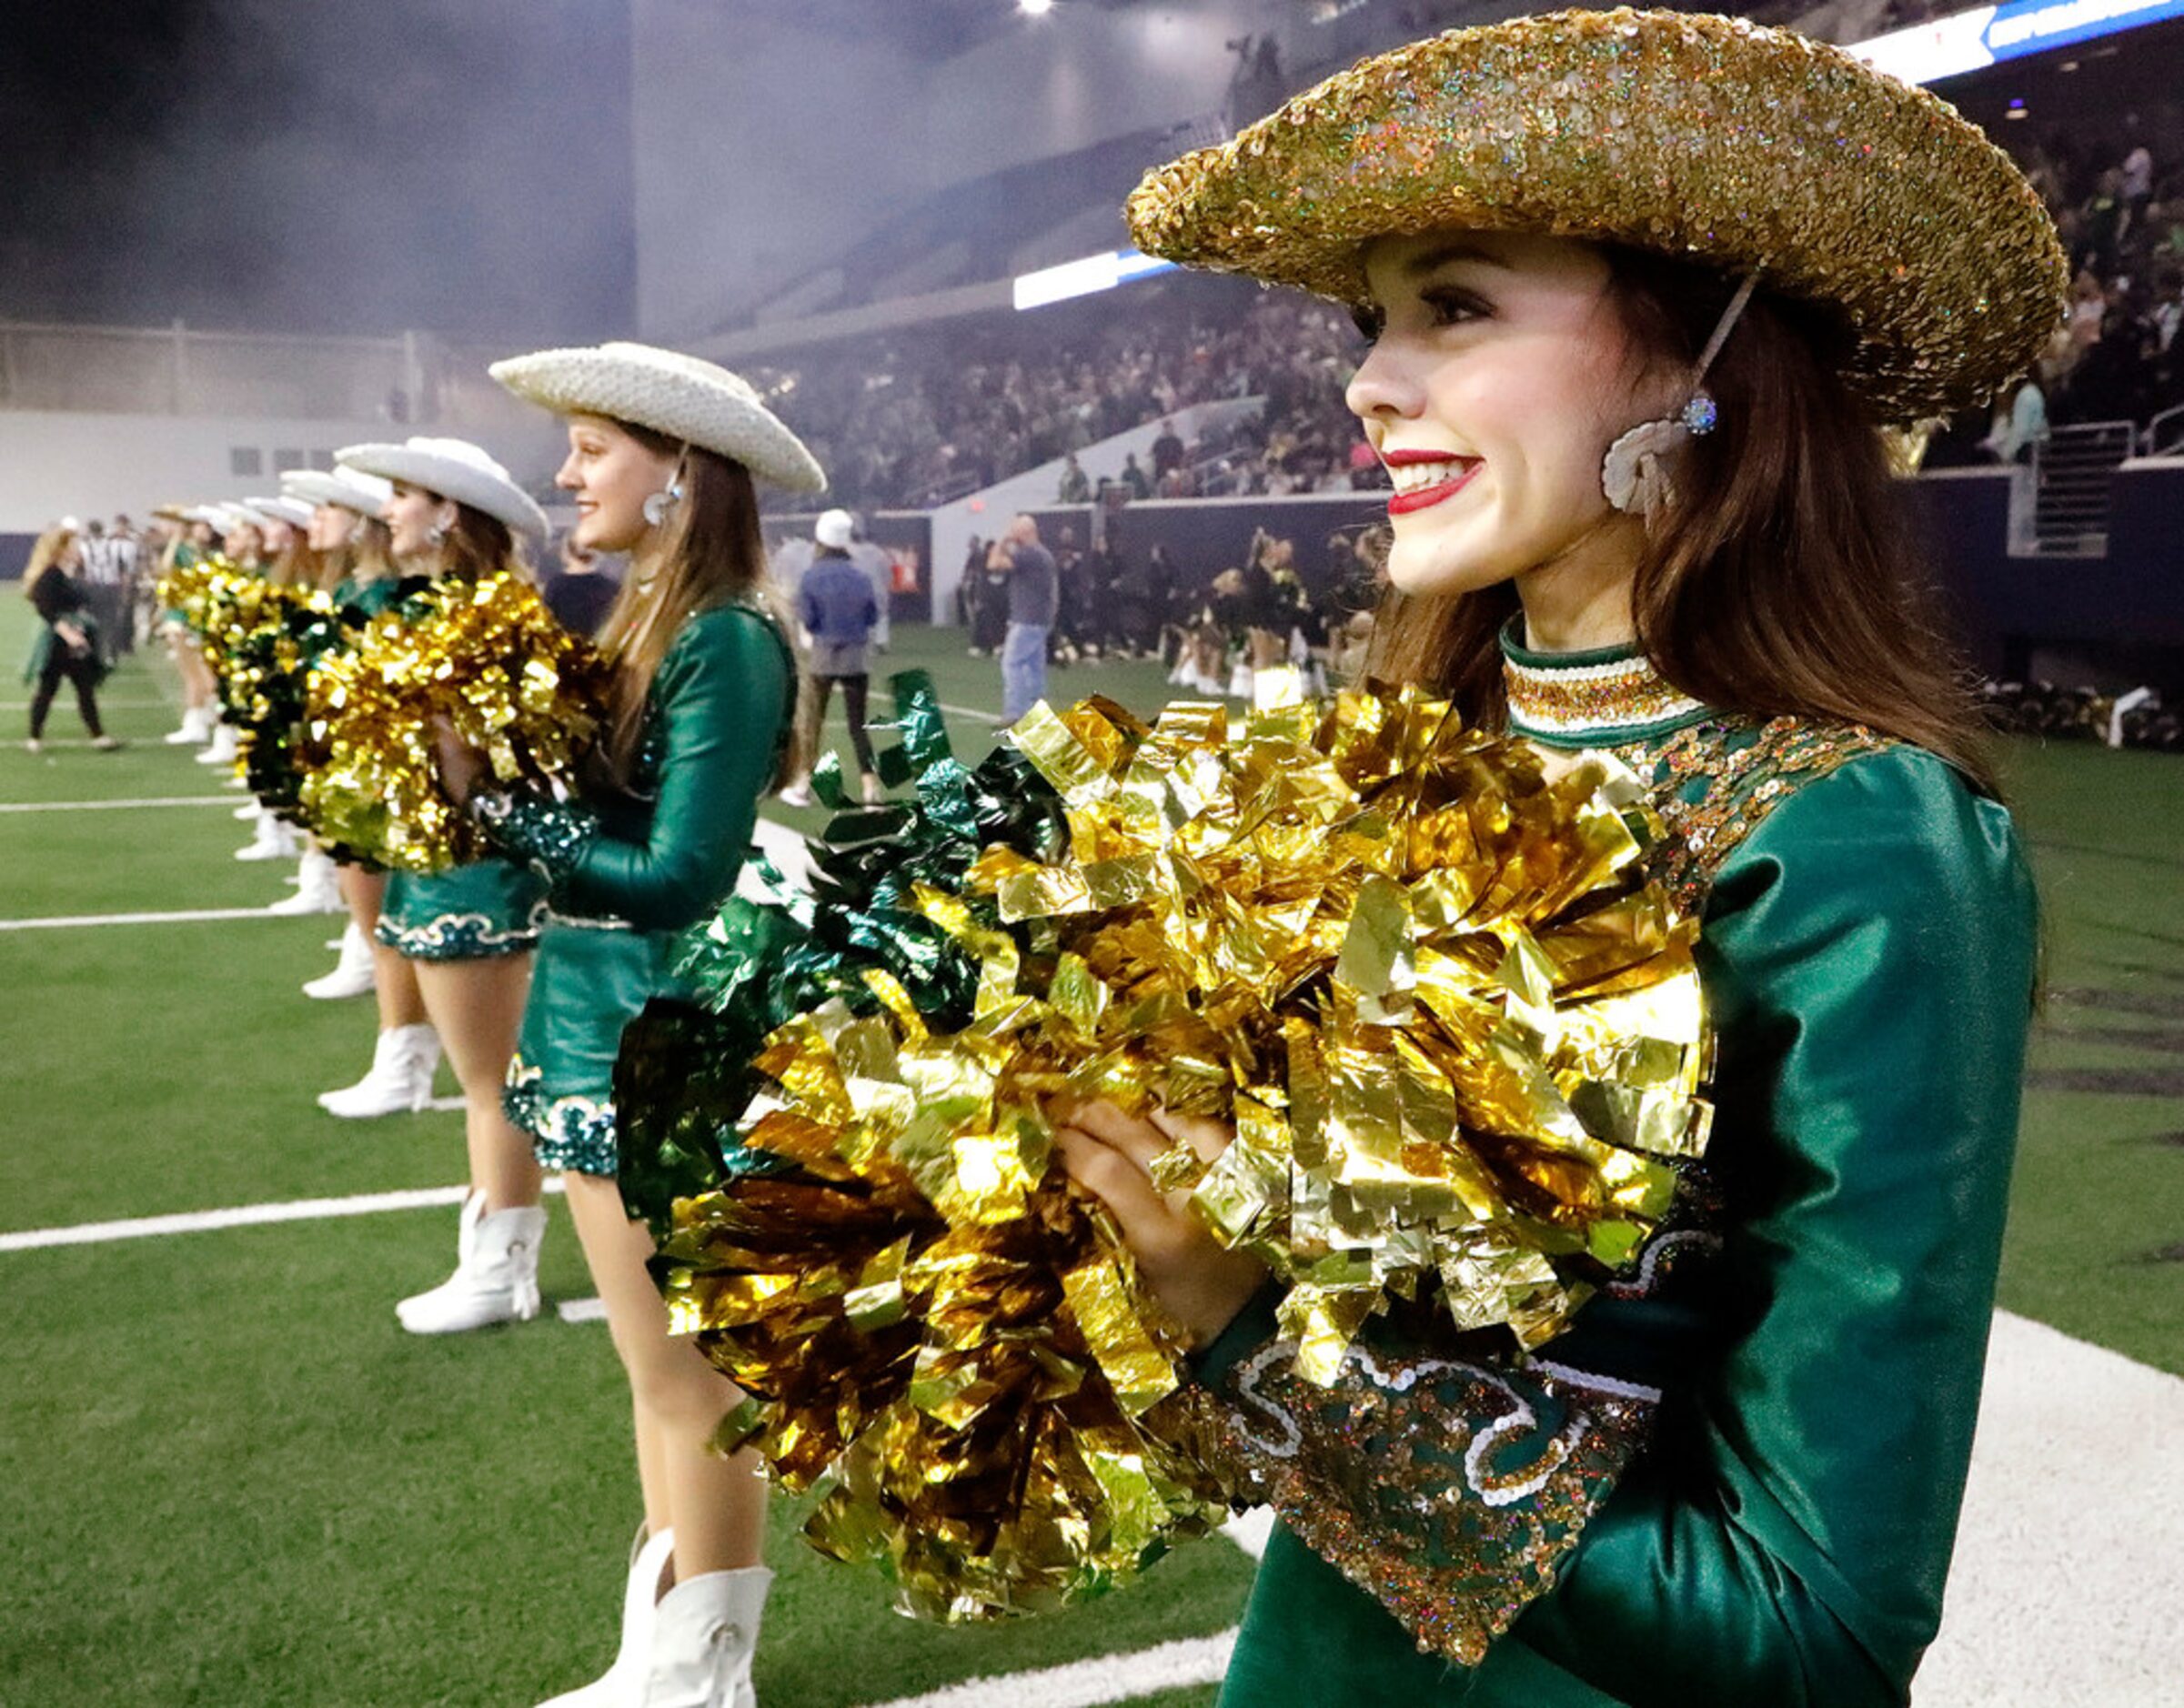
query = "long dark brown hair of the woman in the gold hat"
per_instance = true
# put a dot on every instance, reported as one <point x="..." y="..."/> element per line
<point x="1783" y="580"/>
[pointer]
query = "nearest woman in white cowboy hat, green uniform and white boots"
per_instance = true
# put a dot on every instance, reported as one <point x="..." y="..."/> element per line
<point x="661" y="466"/>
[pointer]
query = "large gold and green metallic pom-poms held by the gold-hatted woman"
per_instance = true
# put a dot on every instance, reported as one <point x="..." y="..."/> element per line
<point x="1412" y="964"/>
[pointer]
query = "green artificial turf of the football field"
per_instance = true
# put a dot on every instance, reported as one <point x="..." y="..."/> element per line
<point x="230" y="1478"/>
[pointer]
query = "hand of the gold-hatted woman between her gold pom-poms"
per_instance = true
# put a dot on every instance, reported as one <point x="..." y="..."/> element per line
<point x="1194" y="1277"/>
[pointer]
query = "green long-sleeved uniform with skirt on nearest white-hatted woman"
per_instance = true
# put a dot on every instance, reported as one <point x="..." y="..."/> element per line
<point x="632" y="870"/>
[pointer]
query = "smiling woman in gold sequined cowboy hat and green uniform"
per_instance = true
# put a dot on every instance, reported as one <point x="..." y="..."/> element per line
<point x="1643" y="294"/>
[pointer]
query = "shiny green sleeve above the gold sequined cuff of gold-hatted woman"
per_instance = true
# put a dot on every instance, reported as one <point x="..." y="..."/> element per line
<point x="1871" y="956"/>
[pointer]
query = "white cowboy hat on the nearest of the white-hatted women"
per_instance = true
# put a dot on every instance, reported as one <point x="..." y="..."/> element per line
<point x="667" y="392"/>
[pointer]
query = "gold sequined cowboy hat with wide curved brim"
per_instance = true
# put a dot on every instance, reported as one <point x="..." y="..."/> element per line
<point x="1700" y="137"/>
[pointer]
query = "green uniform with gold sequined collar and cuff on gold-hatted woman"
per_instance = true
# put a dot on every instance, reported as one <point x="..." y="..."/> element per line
<point x="1737" y="1478"/>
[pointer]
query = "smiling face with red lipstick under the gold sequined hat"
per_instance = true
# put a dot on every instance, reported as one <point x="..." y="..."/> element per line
<point x="1499" y="377"/>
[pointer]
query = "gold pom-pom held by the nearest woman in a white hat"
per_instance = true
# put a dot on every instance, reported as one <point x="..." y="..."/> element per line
<point x="488" y="661"/>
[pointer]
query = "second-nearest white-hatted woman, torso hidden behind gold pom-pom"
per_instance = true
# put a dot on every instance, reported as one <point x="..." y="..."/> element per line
<point x="466" y="934"/>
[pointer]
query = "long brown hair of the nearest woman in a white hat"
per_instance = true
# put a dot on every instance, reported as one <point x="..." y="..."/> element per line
<point x="707" y="551"/>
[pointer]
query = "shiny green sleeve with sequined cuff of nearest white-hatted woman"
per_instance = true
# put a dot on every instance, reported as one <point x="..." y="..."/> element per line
<point x="722" y="698"/>
